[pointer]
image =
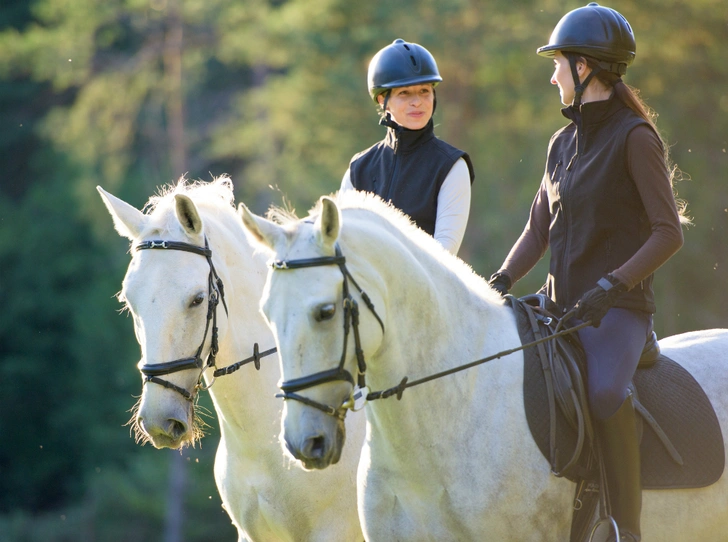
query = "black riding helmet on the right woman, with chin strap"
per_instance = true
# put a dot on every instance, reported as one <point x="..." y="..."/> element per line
<point x="596" y="31"/>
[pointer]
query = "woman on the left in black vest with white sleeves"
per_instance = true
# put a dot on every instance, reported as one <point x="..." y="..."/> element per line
<point x="423" y="176"/>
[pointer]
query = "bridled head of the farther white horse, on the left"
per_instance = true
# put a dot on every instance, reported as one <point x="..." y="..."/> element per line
<point x="171" y="291"/>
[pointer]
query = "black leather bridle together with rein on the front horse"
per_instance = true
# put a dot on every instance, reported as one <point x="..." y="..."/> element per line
<point x="361" y="394"/>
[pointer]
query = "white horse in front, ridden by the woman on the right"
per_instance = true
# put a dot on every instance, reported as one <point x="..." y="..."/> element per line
<point x="453" y="460"/>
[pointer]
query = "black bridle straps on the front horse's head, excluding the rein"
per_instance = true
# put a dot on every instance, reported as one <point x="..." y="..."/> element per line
<point x="351" y="320"/>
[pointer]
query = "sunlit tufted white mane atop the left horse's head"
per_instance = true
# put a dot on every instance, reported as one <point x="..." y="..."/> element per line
<point x="214" y="196"/>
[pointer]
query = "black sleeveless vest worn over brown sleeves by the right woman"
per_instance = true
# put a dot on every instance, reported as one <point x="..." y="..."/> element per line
<point x="598" y="221"/>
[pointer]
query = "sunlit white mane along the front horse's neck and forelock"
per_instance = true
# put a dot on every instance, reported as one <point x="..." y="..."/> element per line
<point x="399" y="224"/>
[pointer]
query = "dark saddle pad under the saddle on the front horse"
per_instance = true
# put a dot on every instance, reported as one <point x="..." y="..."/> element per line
<point x="674" y="399"/>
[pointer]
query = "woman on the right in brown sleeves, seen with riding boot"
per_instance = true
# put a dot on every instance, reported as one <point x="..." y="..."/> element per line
<point x="607" y="211"/>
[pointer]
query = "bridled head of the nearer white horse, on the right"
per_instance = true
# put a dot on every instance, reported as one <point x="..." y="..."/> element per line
<point x="310" y="302"/>
